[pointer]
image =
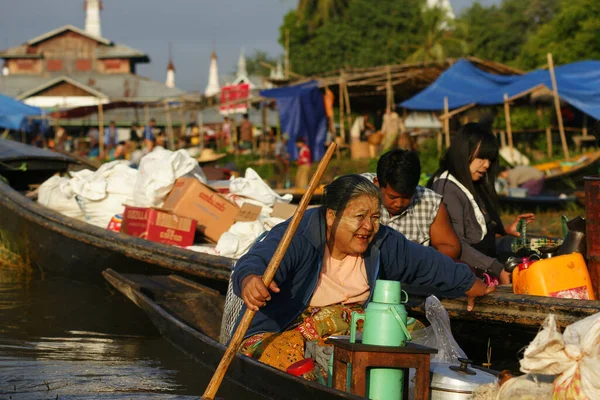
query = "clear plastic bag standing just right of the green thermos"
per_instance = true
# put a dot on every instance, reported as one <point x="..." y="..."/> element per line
<point x="439" y="334"/>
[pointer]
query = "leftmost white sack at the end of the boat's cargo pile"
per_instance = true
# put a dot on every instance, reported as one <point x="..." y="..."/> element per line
<point x="57" y="195"/>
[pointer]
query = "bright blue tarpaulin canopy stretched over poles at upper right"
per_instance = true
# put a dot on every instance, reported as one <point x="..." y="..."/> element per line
<point x="578" y="84"/>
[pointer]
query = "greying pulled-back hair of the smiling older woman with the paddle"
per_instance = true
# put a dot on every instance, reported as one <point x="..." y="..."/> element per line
<point x="338" y="193"/>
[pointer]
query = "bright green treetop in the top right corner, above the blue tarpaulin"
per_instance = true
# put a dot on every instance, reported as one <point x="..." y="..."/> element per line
<point x="572" y="35"/>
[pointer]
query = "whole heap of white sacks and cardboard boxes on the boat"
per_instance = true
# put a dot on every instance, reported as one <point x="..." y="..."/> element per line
<point x="169" y="200"/>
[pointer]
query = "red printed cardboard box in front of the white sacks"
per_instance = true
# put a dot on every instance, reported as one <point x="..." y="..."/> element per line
<point x="158" y="226"/>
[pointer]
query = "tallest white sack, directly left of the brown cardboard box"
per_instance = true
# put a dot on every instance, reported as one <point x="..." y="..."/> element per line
<point x="158" y="172"/>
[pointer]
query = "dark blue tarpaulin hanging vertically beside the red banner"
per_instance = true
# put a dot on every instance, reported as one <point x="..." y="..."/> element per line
<point x="301" y="114"/>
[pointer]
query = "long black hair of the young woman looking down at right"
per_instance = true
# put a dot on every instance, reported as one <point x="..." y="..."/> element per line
<point x="473" y="140"/>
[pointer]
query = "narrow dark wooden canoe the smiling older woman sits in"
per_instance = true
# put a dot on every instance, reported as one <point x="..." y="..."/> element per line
<point x="189" y="316"/>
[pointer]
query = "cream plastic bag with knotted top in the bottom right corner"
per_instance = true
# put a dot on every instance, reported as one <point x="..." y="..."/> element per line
<point x="575" y="355"/>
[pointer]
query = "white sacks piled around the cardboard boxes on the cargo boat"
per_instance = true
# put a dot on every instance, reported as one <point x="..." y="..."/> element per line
<point x="96" y="196"/>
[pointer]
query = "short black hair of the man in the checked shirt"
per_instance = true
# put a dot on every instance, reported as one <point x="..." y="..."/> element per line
<point x="399" y="169"/>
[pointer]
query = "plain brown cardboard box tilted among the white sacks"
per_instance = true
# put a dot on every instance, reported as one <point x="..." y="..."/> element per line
<point x="215" y="214"/>
